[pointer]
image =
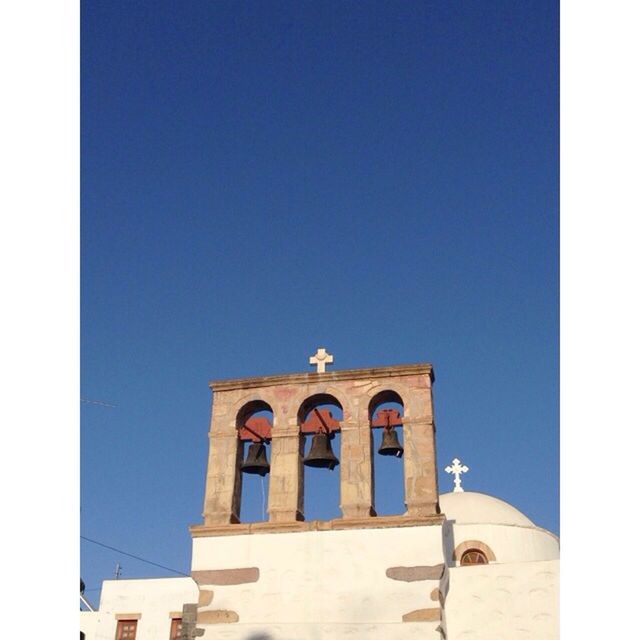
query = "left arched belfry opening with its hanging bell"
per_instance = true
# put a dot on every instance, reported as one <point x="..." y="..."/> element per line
<point x="254" y="423"/>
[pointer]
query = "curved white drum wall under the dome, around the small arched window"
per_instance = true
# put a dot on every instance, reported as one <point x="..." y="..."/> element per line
<point x="509" y="543"/>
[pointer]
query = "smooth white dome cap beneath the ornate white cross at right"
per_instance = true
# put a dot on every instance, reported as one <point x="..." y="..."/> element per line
<point x="470" y="507"/>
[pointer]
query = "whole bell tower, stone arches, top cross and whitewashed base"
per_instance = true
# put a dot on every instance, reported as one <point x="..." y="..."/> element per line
<point x="315" y="579"/>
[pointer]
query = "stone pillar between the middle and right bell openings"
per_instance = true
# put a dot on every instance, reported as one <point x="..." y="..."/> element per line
<point x="356" y="474"/>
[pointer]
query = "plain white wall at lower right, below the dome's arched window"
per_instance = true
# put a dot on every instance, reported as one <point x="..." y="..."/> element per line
<point x="503" y="602"/>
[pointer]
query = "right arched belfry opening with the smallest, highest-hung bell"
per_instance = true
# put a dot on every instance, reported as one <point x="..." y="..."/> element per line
<point x="386" y="411"/>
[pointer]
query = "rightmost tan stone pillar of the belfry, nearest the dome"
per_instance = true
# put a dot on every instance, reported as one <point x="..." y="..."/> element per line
<point x="420" y="473"/>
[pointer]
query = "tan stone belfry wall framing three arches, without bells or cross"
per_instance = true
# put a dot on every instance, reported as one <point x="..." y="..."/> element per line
<point x="353" y="389"/>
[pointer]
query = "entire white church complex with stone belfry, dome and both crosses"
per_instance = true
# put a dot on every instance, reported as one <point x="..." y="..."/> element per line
<point x="458" y="566"/>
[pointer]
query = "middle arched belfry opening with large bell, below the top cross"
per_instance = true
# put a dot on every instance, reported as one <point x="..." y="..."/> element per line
<point x="319" y="418"/>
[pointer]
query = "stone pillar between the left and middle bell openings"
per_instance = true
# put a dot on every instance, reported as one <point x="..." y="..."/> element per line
<point x="286" y="479"/>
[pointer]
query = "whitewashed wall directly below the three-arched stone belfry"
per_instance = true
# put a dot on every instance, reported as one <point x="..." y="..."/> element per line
<point x="332" y="580"/>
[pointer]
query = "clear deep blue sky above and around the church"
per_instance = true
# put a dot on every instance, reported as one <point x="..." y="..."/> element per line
<point x="261" y="178"/>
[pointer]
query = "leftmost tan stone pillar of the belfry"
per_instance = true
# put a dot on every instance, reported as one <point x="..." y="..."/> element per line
<point x="224" y="479"/>
